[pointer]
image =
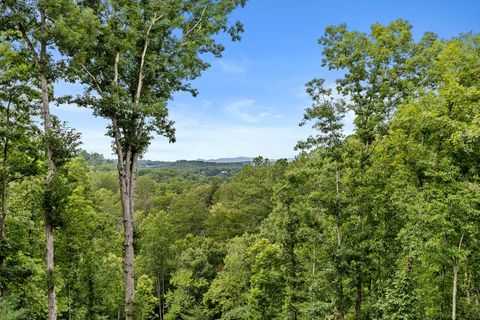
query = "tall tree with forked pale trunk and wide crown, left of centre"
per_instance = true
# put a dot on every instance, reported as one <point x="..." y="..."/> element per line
<point x="142" y="53"/>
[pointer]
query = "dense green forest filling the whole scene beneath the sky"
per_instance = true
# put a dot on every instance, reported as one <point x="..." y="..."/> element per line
<point x="382" y="223"/>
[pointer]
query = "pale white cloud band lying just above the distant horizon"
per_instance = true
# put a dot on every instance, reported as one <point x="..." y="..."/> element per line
<point x="203" y="138"/>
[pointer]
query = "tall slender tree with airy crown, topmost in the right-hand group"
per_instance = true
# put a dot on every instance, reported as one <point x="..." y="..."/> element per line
<point x="382" y="69"/>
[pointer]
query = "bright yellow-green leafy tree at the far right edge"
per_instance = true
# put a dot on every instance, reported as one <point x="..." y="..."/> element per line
<point x="442" y="125"/>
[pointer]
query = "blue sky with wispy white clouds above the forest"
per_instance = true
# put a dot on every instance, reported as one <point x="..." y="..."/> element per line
<point x="252" y="99"/>
